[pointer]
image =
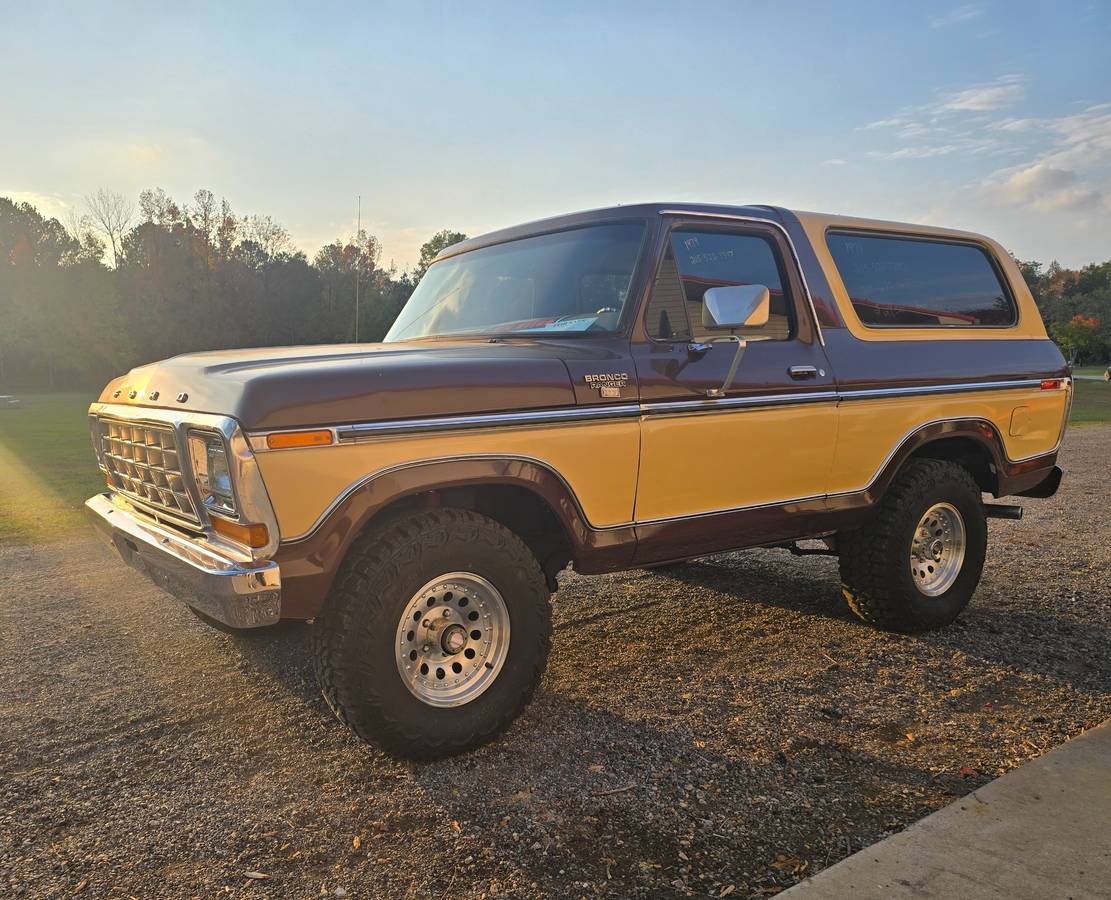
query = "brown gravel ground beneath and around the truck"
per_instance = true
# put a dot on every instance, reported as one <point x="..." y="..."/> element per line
<point x="723" y="729"/>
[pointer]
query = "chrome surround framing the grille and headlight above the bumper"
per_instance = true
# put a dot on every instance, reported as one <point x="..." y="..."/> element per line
<point x="253" y="502"/>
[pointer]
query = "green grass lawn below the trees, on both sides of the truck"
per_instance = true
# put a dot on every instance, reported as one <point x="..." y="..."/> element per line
<point x="47" y="468"/>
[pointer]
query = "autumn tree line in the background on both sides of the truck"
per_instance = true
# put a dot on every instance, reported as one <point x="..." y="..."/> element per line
<point x="123" y="284"/>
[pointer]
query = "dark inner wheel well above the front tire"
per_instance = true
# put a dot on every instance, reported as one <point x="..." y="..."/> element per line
<point x="523" y="512"/>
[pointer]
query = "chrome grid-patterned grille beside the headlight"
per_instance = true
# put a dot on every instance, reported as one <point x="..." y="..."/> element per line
<point x="144" y="463"/>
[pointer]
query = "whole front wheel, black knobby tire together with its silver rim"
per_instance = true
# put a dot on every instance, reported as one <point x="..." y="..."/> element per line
<point x="436" y="634"/>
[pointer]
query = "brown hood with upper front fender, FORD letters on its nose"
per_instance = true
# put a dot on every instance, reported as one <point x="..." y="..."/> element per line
<point x="329" y="385"/>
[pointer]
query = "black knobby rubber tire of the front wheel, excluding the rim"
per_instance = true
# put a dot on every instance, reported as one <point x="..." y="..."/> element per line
<point x="354" y="637"/>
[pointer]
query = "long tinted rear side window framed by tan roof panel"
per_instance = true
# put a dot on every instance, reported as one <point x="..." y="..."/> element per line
<point x="916" y="283"/>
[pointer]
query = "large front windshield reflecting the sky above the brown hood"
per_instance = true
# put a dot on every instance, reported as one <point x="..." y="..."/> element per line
<point x="572" y="283"/>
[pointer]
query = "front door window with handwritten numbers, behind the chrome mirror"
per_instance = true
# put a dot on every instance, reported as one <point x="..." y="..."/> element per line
<point x="698" y="261"/>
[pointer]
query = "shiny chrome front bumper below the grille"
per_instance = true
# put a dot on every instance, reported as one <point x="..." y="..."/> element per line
<point x="237" y="593"/>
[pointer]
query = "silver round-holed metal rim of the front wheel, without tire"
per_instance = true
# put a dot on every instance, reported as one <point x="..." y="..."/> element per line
<point x="453" y="639"/>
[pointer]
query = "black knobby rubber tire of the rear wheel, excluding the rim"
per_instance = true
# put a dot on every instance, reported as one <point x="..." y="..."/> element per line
<point x="875" y="561"/>
